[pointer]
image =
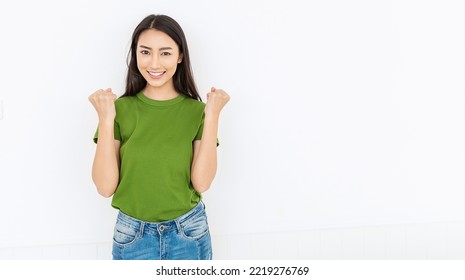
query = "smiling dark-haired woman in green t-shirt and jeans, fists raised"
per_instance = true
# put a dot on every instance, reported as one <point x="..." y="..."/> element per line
<point x="156" y="148"/>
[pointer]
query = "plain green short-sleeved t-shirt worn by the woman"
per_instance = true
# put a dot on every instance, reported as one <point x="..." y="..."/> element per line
<point x="156" y="154"/>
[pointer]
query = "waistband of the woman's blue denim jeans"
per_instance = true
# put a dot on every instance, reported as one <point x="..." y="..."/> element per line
<point x="160" y="226"/>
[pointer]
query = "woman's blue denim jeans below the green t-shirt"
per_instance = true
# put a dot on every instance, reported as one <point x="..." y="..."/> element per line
<point x="184" y="238"/>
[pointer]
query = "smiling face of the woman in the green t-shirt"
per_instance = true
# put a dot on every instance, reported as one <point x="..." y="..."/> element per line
<point x="157" y="58"/>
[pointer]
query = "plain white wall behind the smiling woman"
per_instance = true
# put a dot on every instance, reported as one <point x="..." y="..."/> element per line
<point x="343" y="114"/>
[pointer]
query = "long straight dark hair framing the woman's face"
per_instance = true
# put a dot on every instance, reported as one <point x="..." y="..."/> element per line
<point x="183" y="79"/>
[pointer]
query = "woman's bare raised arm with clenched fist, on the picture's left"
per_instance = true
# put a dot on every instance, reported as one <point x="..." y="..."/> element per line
<point x="105" y="168"/>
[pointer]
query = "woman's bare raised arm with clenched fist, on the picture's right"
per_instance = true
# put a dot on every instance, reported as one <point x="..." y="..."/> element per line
<point x="204" y="162"/>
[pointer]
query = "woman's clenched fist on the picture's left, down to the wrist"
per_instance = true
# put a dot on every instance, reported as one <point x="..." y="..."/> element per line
<point x="104" y="103"/>
